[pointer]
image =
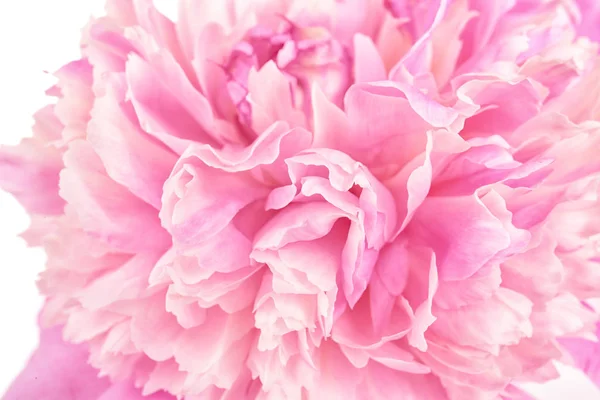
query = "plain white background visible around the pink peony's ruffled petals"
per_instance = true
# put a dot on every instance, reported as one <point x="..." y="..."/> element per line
<point x="38" y="36"/>
